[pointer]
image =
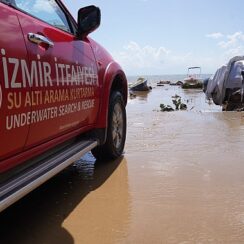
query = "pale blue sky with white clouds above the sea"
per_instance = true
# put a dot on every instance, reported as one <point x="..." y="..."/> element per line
<point x="157" y="37"/>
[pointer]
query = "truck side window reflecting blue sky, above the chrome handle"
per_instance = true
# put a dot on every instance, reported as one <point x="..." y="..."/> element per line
<point x="48" y="11"/>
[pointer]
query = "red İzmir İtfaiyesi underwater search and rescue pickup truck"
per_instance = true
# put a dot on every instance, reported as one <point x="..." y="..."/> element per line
<point x="61" y="94"/>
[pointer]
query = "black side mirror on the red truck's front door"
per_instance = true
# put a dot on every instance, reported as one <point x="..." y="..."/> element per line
<point x="89" y="19"/>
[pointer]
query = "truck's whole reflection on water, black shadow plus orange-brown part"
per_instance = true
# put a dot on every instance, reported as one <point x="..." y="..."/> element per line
<point x="73" y="207"/>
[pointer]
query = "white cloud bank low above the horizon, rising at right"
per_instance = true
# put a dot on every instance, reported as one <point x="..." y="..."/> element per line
<point x="148" y="59"/>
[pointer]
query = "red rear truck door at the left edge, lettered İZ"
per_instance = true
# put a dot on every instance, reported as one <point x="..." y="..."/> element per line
<point x="14" y="124"/>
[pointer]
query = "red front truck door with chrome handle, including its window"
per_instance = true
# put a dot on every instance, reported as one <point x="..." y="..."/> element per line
<point x="62" y="72"/>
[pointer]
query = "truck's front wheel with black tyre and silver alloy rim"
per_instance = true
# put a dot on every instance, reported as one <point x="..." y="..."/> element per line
<point x="116" y="131"/>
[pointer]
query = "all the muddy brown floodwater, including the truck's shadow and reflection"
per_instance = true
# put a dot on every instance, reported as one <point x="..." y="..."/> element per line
<point x="181" y="180"/>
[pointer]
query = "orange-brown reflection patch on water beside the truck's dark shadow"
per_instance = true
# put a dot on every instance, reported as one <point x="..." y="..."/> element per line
<point x="104" y="215"/>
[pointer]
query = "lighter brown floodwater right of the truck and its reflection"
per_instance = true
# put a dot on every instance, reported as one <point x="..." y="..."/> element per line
<point x="187" y="172"/>
